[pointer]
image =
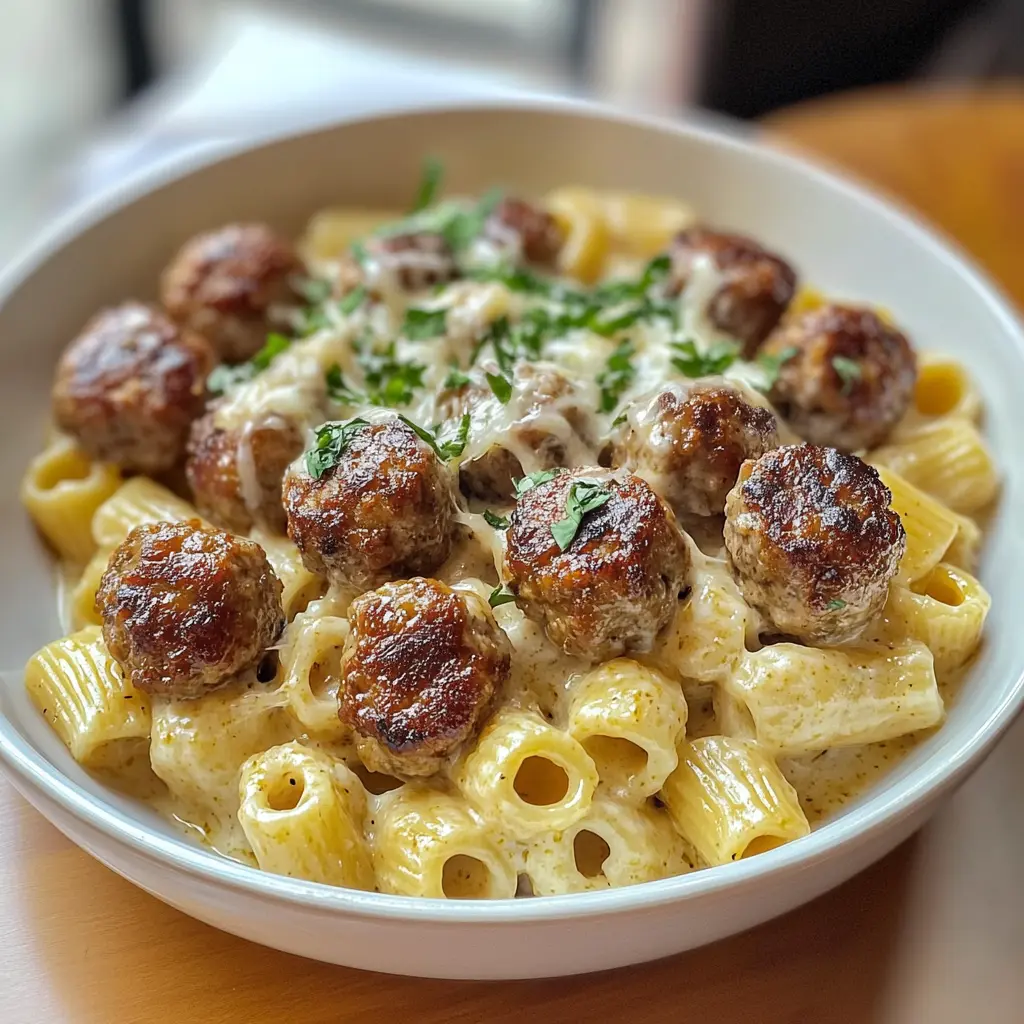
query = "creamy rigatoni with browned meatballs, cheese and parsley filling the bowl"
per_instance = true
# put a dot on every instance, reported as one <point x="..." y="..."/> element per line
<point x="513" y="546"/>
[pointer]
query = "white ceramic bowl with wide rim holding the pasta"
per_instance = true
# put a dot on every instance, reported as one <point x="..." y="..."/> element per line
<point x="842" y="239"/>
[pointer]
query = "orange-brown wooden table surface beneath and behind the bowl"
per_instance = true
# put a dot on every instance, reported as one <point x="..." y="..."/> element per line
<point x="934" y="933"/>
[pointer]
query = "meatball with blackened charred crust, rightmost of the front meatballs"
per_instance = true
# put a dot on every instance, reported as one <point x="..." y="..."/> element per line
<point x="814" y="541"/>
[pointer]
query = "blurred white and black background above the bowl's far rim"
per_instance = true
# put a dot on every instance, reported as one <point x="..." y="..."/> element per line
<point x="92" y="90"/>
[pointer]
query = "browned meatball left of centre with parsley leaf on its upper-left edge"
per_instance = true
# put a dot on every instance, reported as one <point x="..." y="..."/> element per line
<point x="382" y="511"/>
